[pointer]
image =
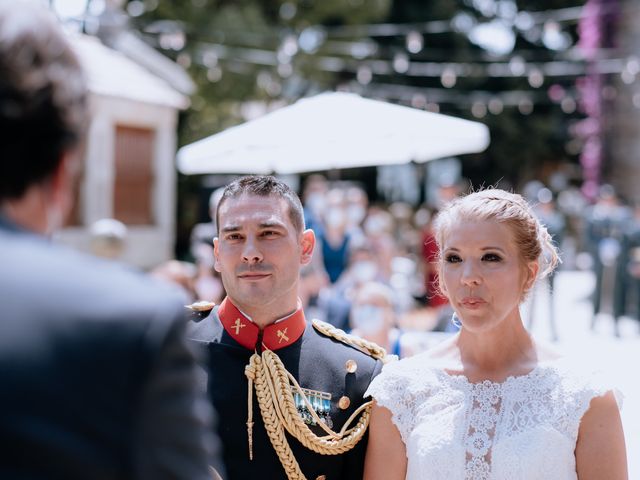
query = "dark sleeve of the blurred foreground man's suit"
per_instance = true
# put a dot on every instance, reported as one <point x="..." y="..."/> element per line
<point x="173" y="436"/>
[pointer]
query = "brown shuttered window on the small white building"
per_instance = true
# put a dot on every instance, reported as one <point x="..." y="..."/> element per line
<point x="133" y="186"/>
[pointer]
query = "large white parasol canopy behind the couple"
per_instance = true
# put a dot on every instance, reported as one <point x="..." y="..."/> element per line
<point x="333" y="130"/>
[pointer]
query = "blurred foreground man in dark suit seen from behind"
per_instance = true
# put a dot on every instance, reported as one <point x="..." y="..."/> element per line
<point x="97" y="381"/>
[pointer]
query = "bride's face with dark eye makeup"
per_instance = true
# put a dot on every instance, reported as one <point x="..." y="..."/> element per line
<point x="483" y="274"/>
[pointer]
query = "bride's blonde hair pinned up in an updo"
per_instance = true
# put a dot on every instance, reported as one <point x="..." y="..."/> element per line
<point x="531" y="237"/>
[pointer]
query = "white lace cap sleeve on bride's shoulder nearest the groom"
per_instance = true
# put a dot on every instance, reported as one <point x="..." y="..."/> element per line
<point x="394" y="389"/>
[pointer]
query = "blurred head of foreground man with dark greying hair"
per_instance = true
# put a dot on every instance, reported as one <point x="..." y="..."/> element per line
<point x="42" y="116"/>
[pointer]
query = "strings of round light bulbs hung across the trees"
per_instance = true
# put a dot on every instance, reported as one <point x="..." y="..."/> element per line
<point x="353" y="50"/>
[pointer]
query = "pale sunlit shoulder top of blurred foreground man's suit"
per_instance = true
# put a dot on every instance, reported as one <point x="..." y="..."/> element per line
<point x="47" y="277"/>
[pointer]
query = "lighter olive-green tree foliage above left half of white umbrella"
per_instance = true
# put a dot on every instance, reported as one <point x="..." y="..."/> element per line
<point x="256" y="27"/>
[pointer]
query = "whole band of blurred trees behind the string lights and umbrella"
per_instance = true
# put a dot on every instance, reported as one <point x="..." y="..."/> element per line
<point x="233" y="52"/>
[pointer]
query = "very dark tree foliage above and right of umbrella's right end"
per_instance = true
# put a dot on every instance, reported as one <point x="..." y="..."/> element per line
<point x="523" y="146"/>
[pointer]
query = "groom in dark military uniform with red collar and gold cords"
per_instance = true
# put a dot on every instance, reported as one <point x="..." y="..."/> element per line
<point x="288" y="390"/>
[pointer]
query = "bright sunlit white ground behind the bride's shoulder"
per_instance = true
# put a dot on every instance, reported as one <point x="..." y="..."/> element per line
<point x="619" y="358"/>
